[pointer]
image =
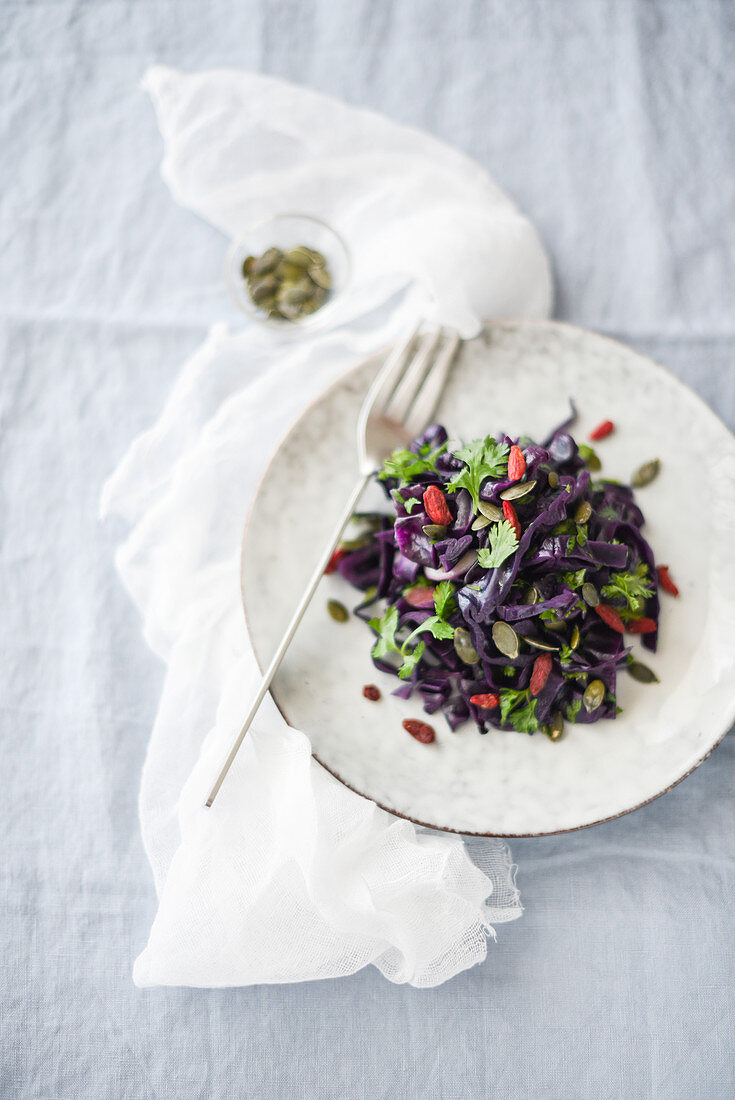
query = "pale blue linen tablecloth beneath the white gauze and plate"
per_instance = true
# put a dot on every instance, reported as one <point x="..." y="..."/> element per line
<point x="612" y="125"/>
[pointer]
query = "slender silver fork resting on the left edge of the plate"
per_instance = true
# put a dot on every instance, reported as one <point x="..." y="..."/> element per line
<point x="398" y="408"/>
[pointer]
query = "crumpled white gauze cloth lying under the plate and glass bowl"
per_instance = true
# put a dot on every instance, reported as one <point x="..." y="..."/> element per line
<point x="291" y="876"/>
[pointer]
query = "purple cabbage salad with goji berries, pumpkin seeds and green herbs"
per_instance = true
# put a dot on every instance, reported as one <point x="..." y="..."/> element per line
<point x="504" y="586"/>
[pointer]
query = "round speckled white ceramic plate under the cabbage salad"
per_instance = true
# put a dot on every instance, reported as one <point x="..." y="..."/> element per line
<point x="519" y="378"/>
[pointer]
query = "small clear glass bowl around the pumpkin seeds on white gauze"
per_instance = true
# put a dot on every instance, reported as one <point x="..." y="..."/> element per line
<point x="287" y="232"/>
